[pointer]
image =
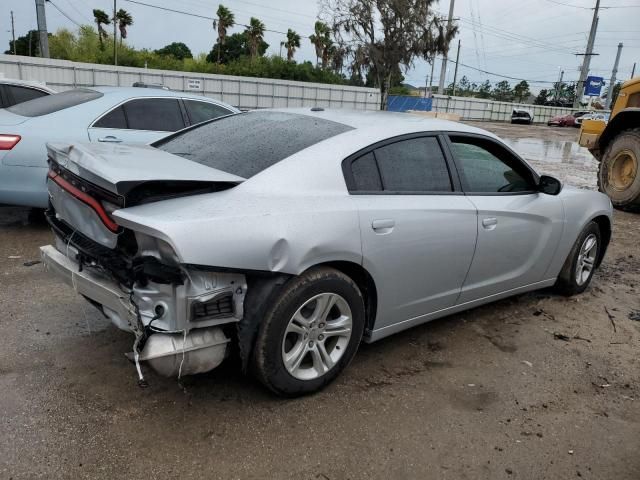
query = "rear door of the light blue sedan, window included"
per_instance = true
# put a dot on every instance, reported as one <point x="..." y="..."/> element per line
<point x="139" y="120"/>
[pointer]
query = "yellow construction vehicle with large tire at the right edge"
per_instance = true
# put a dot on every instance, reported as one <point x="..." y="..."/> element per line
<point x="616" y="145"/>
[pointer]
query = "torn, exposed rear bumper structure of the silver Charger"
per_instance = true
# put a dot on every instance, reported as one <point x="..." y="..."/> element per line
<point x="187" y="338"/>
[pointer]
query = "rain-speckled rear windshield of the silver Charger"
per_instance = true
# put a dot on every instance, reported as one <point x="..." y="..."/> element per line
<point x="248" y="143"/>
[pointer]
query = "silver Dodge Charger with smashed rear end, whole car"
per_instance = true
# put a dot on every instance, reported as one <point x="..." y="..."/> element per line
<point x="284" y="238"/>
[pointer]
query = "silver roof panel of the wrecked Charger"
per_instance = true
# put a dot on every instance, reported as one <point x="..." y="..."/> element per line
<point x="396" y="122"/>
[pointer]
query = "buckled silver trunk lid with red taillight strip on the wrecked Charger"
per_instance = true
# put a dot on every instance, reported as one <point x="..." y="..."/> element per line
<point x="87" y="183"/>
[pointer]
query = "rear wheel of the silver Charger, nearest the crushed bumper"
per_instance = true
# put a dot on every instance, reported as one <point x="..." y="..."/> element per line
<point x="310" y="333"/>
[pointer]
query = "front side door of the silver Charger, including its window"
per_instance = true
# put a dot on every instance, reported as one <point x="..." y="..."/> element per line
<point x="518" y="227"/>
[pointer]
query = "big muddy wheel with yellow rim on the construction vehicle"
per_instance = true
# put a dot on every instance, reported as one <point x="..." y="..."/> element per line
<point x="623" y="195"/>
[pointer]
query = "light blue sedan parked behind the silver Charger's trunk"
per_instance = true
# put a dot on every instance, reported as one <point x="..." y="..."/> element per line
<point x="103" y="114"/>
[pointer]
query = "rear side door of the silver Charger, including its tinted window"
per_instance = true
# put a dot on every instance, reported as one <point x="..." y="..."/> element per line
<point x="418" y="230"/>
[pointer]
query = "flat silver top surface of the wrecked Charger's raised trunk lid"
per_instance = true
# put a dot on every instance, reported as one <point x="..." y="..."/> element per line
<point x="118" y="168"/>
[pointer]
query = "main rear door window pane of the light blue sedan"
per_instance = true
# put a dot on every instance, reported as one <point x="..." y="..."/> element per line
<point x="158" y="114"/>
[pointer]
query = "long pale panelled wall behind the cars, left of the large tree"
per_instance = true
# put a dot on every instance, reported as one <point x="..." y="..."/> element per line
<point x="242" y="92"/>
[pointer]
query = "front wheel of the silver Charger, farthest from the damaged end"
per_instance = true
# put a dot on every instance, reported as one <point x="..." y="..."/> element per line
<point x="580" y="265"/>
